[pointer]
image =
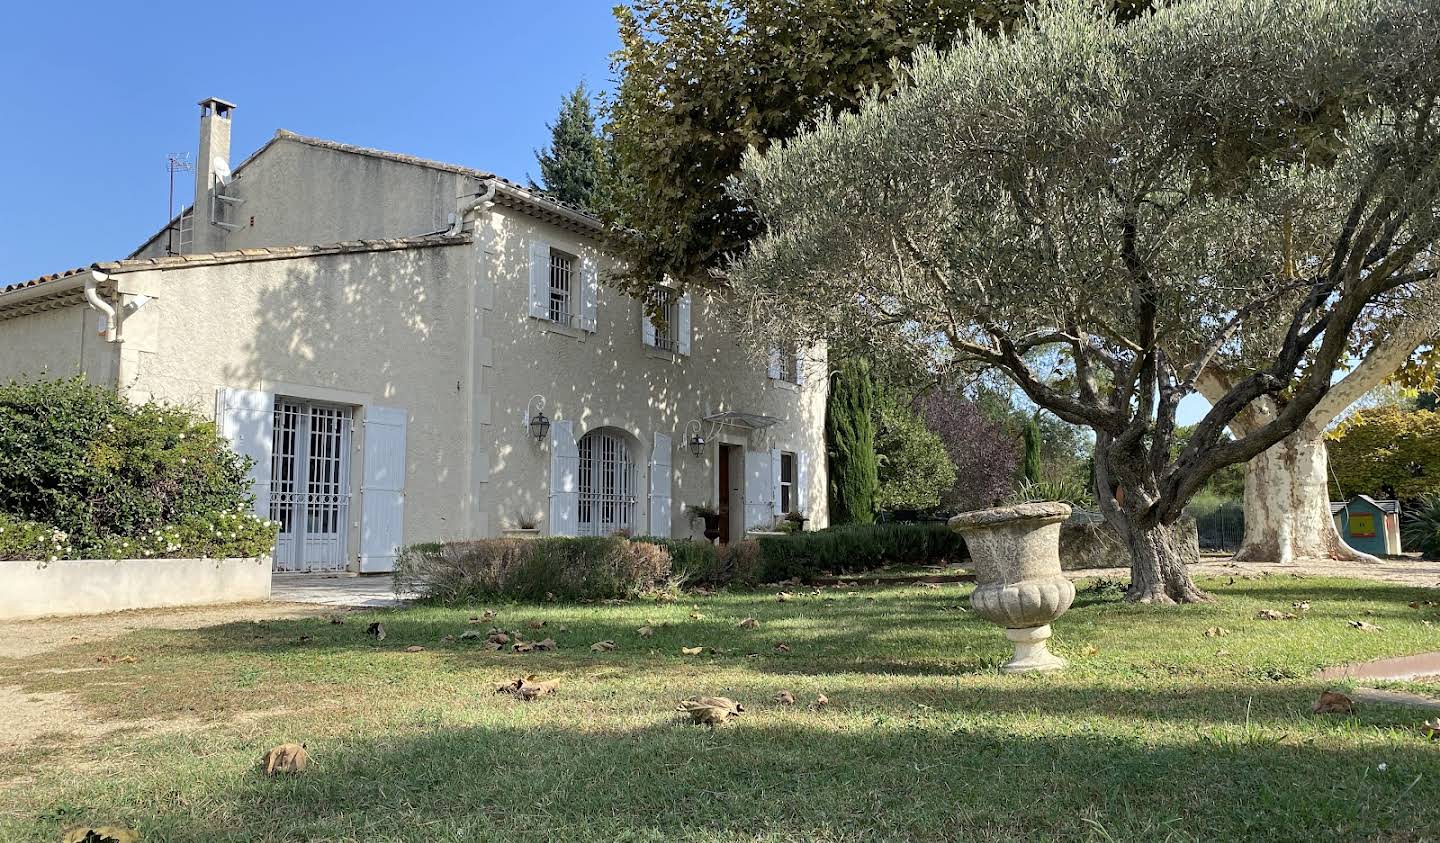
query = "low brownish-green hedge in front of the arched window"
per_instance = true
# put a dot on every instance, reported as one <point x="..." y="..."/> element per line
<point x="565" y="568"/>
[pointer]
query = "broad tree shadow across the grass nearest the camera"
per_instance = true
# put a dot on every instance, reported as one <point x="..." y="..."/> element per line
<point x="794" y="776"/>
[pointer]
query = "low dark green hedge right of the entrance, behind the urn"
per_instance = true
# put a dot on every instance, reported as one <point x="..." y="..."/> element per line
<point x="858" y="548"/>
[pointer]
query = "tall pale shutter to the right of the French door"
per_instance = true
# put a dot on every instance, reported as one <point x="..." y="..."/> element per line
<point x="382" y="492"/>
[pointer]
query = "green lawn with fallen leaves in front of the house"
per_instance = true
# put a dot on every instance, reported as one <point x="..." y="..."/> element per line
<point x="1156" y="734"/>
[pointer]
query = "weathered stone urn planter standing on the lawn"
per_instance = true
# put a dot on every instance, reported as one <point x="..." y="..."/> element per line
<point x="1016" y="554"/>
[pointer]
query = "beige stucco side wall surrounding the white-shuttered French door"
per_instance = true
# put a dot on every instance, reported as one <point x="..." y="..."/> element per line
<point x="374" y="329"/>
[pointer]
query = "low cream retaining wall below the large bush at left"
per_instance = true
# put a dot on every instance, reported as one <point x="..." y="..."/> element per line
<point x="83" y="587"/>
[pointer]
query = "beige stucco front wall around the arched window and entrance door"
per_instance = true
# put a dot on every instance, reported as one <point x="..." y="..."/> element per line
<point x="611" y="380"/>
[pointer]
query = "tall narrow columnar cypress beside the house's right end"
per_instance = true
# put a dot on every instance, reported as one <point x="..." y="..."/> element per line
<point x="850" y="443"/>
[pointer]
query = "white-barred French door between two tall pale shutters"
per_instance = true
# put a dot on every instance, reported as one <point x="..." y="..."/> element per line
<point x="310" y="485"/>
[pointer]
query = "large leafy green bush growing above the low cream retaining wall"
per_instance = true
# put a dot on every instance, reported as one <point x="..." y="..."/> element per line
<point x="113" y="475"/>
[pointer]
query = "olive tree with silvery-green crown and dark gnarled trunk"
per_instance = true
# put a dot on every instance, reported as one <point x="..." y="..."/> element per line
<point x="1104" y="213"/>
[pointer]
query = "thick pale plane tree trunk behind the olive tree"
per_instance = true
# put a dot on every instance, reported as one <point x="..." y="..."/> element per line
<point x="1288" y="505"/>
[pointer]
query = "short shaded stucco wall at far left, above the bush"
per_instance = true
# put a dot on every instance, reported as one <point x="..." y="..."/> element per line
<point x="55" y="344"/>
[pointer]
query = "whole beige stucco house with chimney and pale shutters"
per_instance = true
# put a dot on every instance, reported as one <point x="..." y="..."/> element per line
<point x="414" y="351"/>
